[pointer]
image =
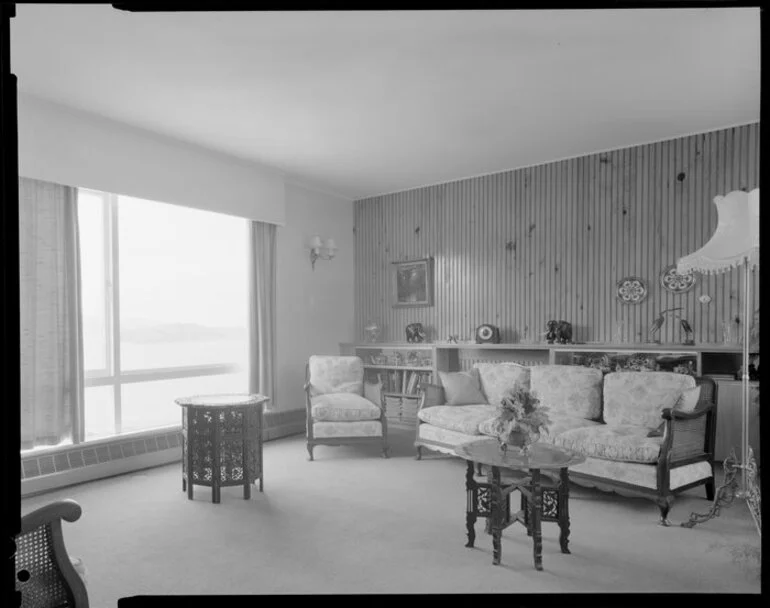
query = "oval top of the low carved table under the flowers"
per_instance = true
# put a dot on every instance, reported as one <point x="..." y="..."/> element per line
<point x="541" y="455"/>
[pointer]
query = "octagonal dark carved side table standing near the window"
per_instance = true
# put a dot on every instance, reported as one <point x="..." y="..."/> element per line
<point x="221" y="442"/>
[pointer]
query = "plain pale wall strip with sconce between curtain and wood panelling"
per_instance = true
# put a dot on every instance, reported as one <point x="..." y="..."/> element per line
<point x="315" y="307"/>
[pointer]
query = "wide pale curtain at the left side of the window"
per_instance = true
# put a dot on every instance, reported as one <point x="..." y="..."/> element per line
<point x="51" y="321"/>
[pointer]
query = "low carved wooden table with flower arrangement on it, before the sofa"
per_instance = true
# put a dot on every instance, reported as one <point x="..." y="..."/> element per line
<point x="541" y="499"/>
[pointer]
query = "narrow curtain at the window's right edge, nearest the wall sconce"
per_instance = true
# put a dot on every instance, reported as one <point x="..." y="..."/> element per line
<point x="262" y="310"/>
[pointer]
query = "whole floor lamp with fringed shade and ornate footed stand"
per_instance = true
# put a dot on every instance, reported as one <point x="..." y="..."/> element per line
<point x="734" y="243"/>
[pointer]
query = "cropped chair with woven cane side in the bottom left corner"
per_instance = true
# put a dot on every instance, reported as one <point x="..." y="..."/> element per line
<point x="45" y="574"/>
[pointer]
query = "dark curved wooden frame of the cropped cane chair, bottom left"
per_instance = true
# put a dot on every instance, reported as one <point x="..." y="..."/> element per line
<point x="52" y="515"/>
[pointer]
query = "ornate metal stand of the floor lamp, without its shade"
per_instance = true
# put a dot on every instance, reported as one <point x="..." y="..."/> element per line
<point x="747" y="489"/>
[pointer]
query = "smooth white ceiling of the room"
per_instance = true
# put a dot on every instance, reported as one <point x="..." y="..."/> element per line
<point x="365" y="103"/>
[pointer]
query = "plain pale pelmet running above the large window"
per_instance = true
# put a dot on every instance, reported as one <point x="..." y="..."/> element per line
<point x="66" y="146"/>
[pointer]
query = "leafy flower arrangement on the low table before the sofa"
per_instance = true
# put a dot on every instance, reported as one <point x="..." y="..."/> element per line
<point x="520" y="418"/>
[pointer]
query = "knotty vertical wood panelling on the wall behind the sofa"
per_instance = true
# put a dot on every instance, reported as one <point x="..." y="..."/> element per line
<point x="551" y="242"/>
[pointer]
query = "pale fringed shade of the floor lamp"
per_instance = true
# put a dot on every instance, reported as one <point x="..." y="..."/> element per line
<point x="736" y="239"/>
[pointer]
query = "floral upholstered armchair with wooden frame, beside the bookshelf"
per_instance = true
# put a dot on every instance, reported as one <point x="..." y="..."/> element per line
<point x="337" y="411"/>
